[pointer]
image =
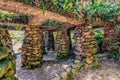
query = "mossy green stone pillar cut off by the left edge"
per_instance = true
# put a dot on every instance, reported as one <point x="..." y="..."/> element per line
<point x="7" y="59"/>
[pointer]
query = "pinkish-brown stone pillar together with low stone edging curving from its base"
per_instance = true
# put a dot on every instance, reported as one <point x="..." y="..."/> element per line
<point x="85" y="49"/>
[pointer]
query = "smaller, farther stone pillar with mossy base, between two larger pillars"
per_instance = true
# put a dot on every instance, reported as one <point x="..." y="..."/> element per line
<point x="62" y="45"/>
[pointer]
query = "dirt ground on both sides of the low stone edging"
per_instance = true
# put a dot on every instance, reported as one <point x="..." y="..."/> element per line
<point x="109" y="70"/>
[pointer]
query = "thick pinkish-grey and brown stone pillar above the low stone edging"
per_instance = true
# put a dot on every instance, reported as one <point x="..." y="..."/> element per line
<point x="85" y="44"/>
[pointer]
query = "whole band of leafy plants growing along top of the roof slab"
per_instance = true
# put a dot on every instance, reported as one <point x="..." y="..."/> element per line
<point x="106" y="10"/>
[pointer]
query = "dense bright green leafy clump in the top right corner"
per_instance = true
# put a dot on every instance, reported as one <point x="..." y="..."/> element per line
<point x="107" y="11"/>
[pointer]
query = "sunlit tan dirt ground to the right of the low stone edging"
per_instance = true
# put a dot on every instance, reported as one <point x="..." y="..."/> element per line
<point x="109" y="70"/>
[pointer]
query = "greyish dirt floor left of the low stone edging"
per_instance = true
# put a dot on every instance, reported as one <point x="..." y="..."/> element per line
<point x="47" y="71"/>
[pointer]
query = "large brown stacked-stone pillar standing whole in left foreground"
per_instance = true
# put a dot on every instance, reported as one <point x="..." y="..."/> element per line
<point x="32" y="48"/>
